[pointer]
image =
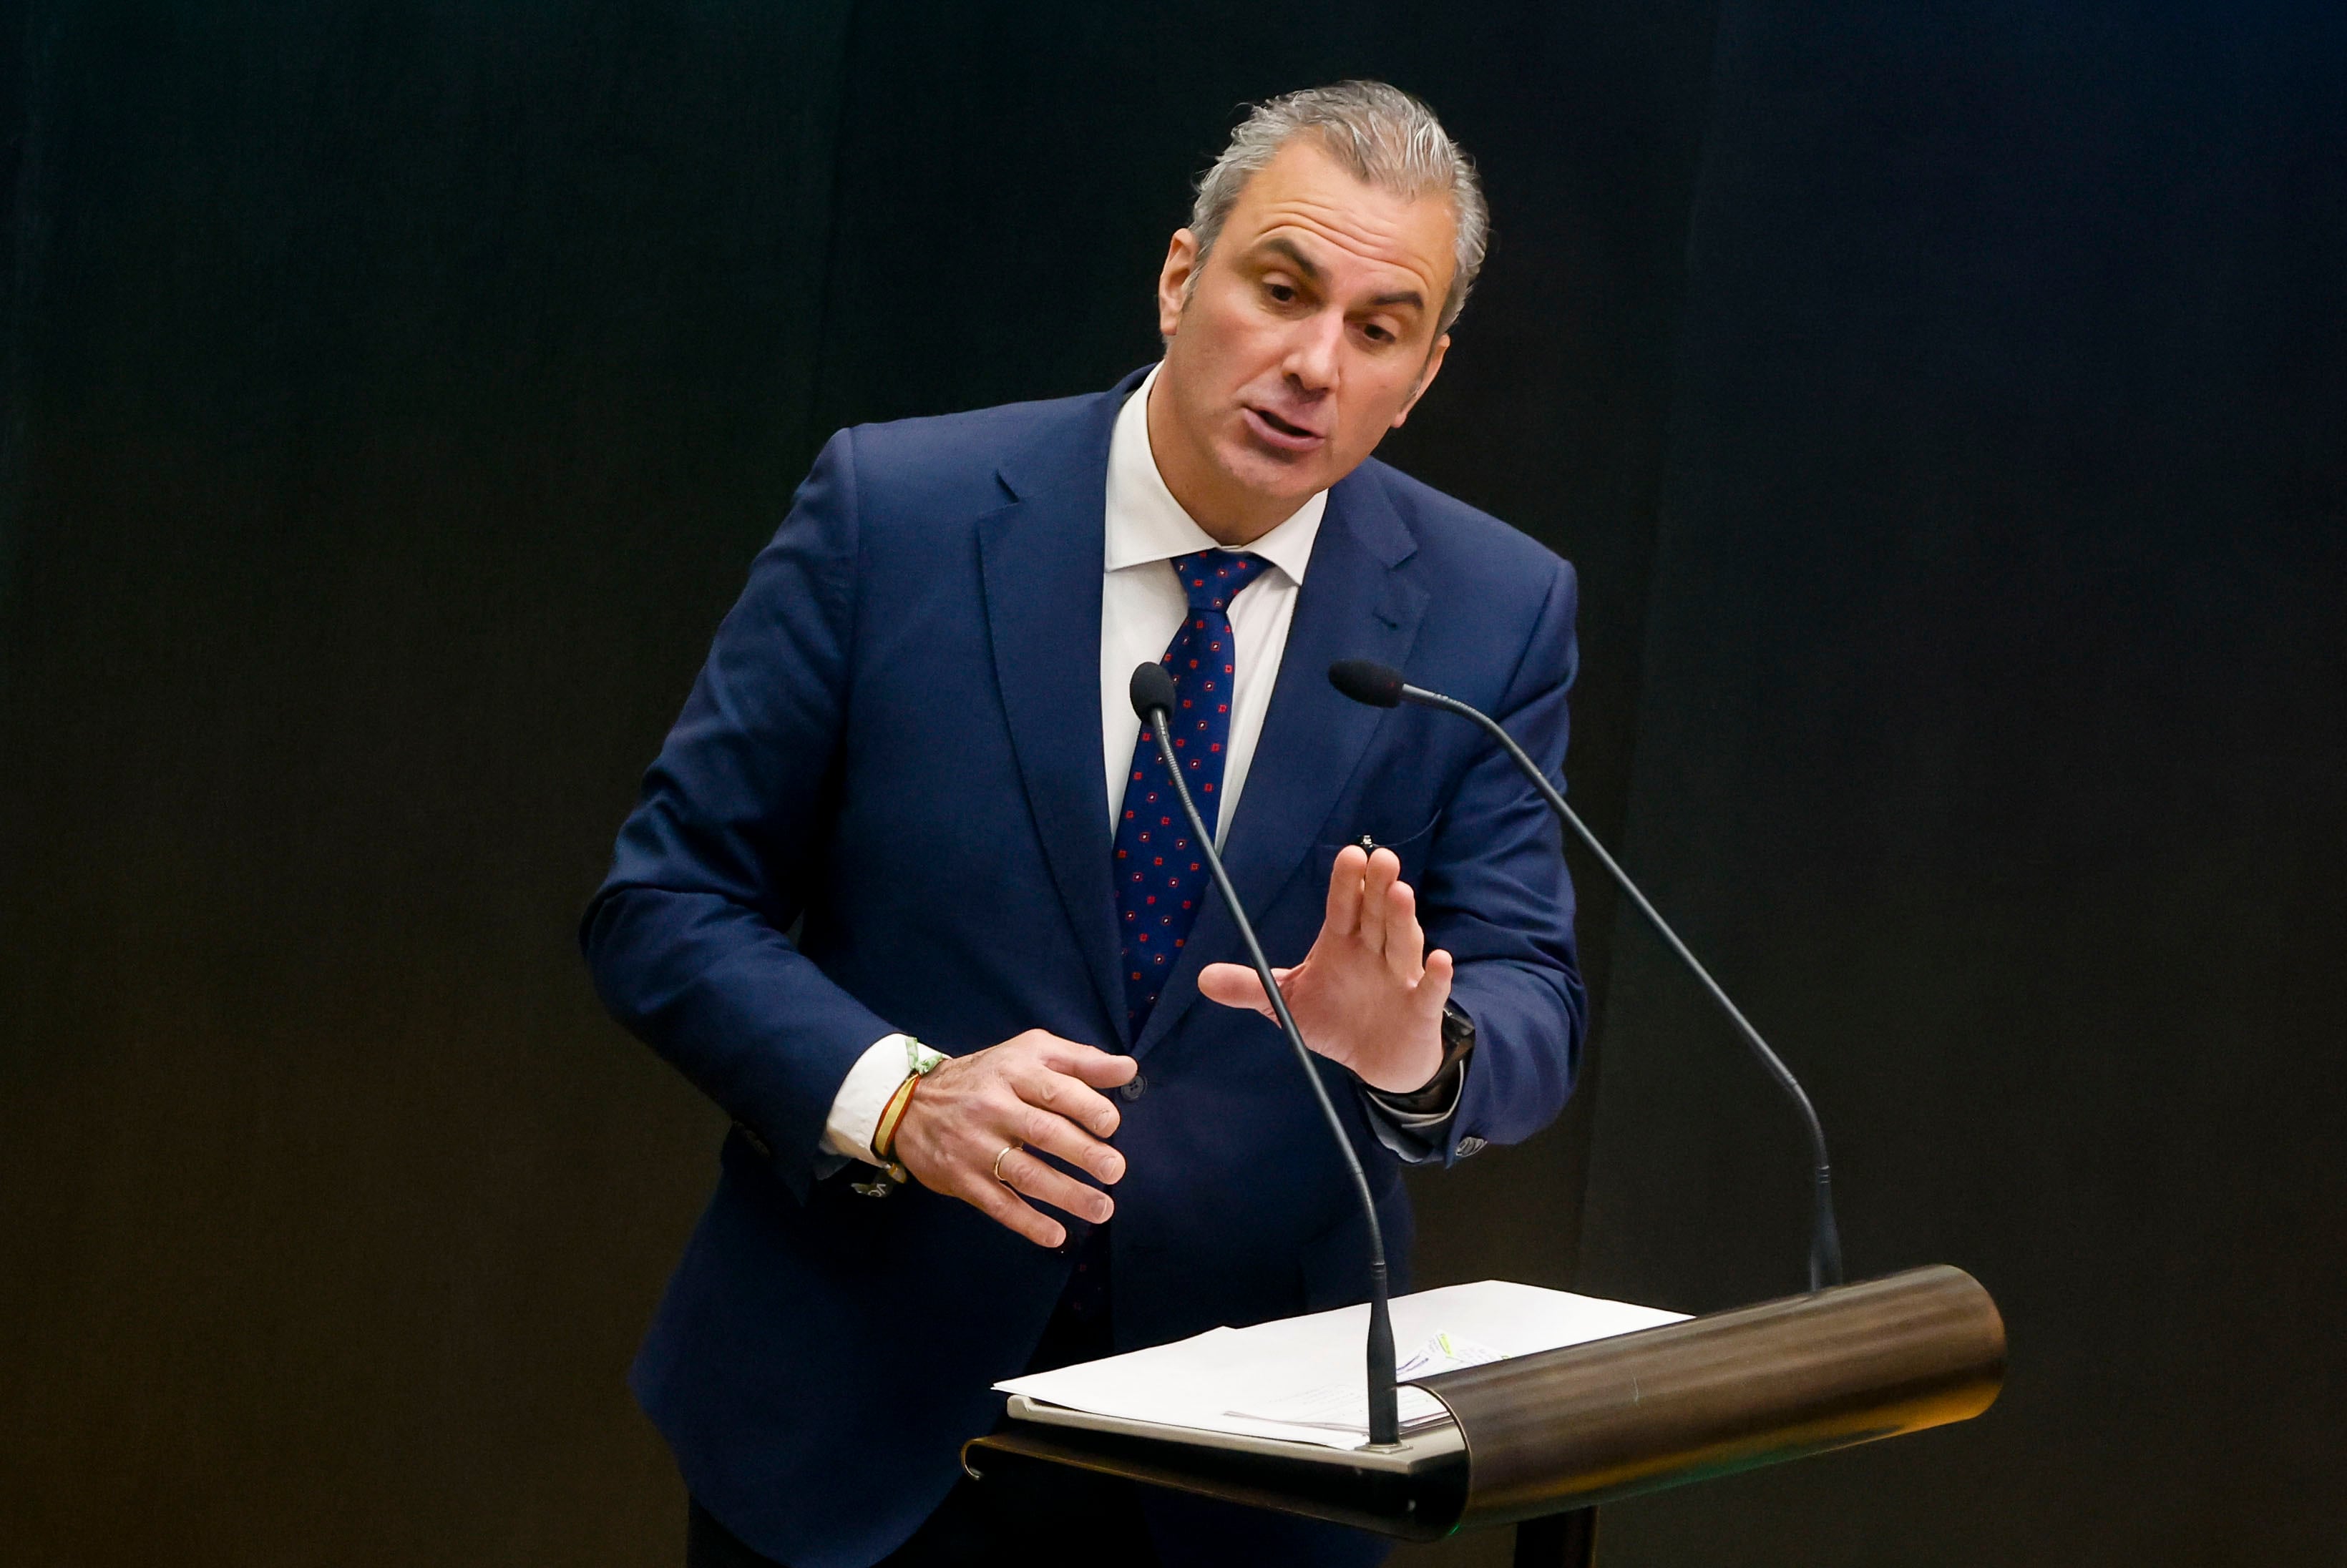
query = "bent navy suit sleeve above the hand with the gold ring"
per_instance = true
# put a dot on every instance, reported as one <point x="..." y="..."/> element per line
<point x="686" y="935"/>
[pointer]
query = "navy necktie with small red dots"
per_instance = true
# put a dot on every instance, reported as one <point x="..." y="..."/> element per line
<point x="1161" y="872"/>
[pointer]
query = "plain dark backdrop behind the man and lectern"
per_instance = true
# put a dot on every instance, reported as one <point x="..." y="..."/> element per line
<point x="1944" y="405"/>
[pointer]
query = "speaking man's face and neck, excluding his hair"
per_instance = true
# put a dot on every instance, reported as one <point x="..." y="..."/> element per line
<point x="1299" y="342"/>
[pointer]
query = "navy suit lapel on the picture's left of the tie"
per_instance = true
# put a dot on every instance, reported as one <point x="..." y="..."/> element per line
<point x="1041" y="562"/>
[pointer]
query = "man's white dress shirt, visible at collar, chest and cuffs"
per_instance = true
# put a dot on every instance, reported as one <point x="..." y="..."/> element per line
<point x="1142" y="609"/>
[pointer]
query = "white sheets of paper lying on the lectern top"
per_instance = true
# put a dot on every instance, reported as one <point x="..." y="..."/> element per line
<point x="1301" y="1377"/>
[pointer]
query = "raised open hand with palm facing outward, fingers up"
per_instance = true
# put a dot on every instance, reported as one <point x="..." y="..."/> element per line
<point x="1367" y="996"/>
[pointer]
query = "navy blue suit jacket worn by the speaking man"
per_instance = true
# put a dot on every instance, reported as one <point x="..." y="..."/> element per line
<point x="898" y="745"/>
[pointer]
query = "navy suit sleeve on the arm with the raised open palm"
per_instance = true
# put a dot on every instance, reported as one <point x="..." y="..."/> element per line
<point x="1501" y="903"/>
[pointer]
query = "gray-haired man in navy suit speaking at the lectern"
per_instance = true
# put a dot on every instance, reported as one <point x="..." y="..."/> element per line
<point x="982" y="1118"/>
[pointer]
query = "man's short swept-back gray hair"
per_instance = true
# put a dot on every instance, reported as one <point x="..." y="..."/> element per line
<point x="1384" y="137"/>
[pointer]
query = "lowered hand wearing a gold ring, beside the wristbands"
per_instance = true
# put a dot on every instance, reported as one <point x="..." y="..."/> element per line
<point x="1032" y="1093"/>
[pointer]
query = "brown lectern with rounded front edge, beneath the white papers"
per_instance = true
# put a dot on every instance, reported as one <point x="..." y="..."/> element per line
<point x="1545" y="1440"/>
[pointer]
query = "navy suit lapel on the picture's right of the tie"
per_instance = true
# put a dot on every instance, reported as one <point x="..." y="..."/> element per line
<point x="1353" y="604"/>
